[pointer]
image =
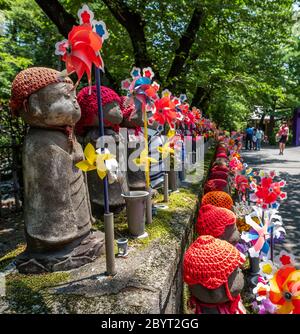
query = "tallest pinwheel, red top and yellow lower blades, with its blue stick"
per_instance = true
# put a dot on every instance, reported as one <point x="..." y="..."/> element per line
<point x="80" y="52"/>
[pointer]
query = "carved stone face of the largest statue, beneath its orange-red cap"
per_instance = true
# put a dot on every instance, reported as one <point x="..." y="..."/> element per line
<point x="54" y="105"/>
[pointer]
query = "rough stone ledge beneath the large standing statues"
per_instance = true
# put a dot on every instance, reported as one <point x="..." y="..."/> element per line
<point x="148" y="280"/>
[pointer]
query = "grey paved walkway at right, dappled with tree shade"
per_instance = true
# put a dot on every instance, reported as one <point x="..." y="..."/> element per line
<point x="288" y="167"/>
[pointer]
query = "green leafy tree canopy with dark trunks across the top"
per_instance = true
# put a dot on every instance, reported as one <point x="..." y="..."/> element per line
<point x="228" y="56"/>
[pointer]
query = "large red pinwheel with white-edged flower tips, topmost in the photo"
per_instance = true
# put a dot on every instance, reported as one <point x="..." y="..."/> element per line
<point x="82" y="48"/>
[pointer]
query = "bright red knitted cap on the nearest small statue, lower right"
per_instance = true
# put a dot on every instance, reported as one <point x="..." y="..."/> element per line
<point x="209" y="262"/>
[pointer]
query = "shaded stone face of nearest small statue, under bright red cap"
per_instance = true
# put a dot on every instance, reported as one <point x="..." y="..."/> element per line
<point x="235" y="284"/>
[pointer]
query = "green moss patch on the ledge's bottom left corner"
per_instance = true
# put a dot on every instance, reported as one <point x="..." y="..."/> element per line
<point x="27" y="293"/>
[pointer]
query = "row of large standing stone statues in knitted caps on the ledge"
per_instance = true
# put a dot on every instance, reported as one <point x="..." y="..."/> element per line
<point x="57" y="211"/>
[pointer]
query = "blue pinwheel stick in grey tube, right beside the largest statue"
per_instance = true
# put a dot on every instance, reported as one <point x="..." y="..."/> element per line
<point x="108" y="216"/>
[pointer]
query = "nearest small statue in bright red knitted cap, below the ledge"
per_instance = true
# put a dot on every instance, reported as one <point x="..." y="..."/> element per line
<point x="211" y="269"/>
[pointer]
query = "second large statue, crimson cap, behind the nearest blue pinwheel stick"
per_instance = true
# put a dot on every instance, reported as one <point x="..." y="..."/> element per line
<point x="88" y="130"/>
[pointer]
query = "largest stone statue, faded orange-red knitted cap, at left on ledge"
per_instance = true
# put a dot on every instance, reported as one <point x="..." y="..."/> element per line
<point x="57" y="211"/>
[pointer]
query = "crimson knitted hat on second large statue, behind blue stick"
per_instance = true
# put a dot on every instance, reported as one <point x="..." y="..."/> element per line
<point x="89" y="106"/>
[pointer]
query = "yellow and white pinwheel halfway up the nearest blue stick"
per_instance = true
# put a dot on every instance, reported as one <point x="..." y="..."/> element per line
<point x="95" y="160"/>
